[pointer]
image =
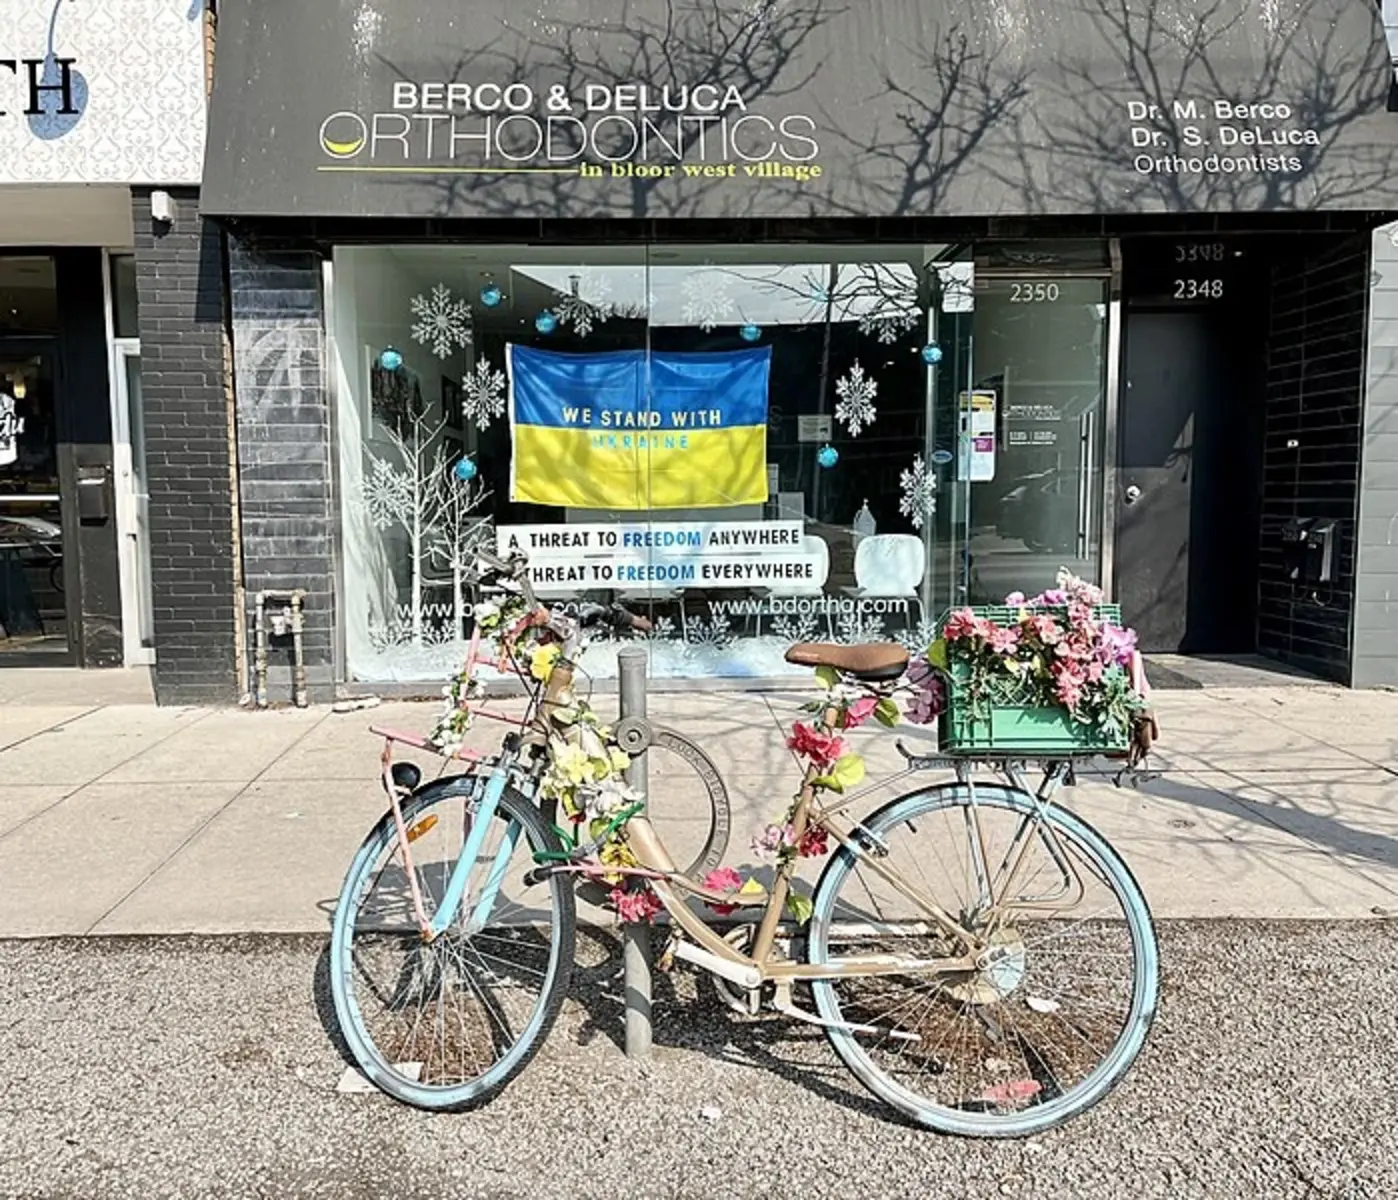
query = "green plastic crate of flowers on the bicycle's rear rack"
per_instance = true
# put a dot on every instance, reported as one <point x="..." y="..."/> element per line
<point x="1009" y="724"/>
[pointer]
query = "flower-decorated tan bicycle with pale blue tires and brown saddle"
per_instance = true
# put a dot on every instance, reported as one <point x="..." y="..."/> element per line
<point x="968" y="1015"/>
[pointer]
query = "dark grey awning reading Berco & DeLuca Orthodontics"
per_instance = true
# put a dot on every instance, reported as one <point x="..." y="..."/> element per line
<point x="799" y="108"/>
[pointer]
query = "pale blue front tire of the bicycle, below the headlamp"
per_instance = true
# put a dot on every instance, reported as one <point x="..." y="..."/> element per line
<point x="371" y="1061"/>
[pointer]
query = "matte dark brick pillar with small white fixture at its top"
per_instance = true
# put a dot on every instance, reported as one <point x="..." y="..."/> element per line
<point x="180" y="283"/>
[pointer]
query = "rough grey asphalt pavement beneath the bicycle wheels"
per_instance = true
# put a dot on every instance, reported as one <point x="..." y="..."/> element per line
<point x="192" y="1068"/>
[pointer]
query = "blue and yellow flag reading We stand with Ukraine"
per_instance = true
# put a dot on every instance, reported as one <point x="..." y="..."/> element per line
<point x="638" y="430"/>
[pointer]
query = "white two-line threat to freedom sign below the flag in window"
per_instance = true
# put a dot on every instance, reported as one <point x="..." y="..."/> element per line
<point x="665" y="556"/>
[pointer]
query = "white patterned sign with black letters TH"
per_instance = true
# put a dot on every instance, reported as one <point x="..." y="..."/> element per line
<point x="106" y="92"/>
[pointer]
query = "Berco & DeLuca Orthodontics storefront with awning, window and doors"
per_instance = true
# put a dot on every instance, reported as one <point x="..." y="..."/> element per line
<point x="831" y="322"/>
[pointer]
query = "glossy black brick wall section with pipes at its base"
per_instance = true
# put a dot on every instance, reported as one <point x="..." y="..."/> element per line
<point x="284" y="445"/>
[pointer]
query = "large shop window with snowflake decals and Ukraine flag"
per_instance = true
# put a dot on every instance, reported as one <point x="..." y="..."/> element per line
<point x="753" y="444"/>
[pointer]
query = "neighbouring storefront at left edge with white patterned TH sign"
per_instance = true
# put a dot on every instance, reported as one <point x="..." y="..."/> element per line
<point x="96" y="100"/>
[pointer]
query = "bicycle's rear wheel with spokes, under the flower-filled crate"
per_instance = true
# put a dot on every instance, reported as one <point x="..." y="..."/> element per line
<point x="1051" y="1024"/>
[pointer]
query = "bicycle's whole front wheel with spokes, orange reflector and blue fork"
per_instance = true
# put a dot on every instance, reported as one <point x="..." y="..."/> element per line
<point x="447" y="1024"/>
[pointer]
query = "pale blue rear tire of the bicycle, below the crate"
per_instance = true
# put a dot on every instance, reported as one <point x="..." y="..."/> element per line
<point x="1146" y="984"/>
